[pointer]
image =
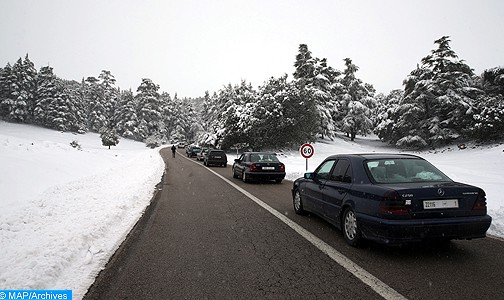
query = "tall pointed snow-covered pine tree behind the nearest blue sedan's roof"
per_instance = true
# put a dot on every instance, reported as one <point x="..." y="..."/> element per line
<point x="438" y="101"/>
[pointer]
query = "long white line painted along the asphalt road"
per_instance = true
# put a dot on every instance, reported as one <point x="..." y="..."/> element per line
<point x="374" y="283"/>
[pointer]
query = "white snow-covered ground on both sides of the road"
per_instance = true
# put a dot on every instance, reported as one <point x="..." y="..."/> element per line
<point x="64" y="211"/>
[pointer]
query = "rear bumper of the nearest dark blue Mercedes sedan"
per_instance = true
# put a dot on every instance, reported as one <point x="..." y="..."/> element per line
<point x="400" y="231"/>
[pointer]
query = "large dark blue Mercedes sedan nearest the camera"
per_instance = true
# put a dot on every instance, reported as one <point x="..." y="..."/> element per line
<point x="391" y="199"/>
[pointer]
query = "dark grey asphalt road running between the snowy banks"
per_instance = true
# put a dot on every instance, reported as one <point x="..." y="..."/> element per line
<point x="204" y="238"/>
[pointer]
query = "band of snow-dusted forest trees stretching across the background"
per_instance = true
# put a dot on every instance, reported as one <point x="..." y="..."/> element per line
<point x="442" y="101"/>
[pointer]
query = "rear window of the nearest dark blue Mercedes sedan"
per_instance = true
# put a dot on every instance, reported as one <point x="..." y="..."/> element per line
<point x="403" y="170"/>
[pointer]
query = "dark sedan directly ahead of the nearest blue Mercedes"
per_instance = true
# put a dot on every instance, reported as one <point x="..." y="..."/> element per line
<point x="259" y="166"/>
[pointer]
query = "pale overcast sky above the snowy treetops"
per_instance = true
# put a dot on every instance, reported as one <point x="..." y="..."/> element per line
<point x="191" y="46"/>
